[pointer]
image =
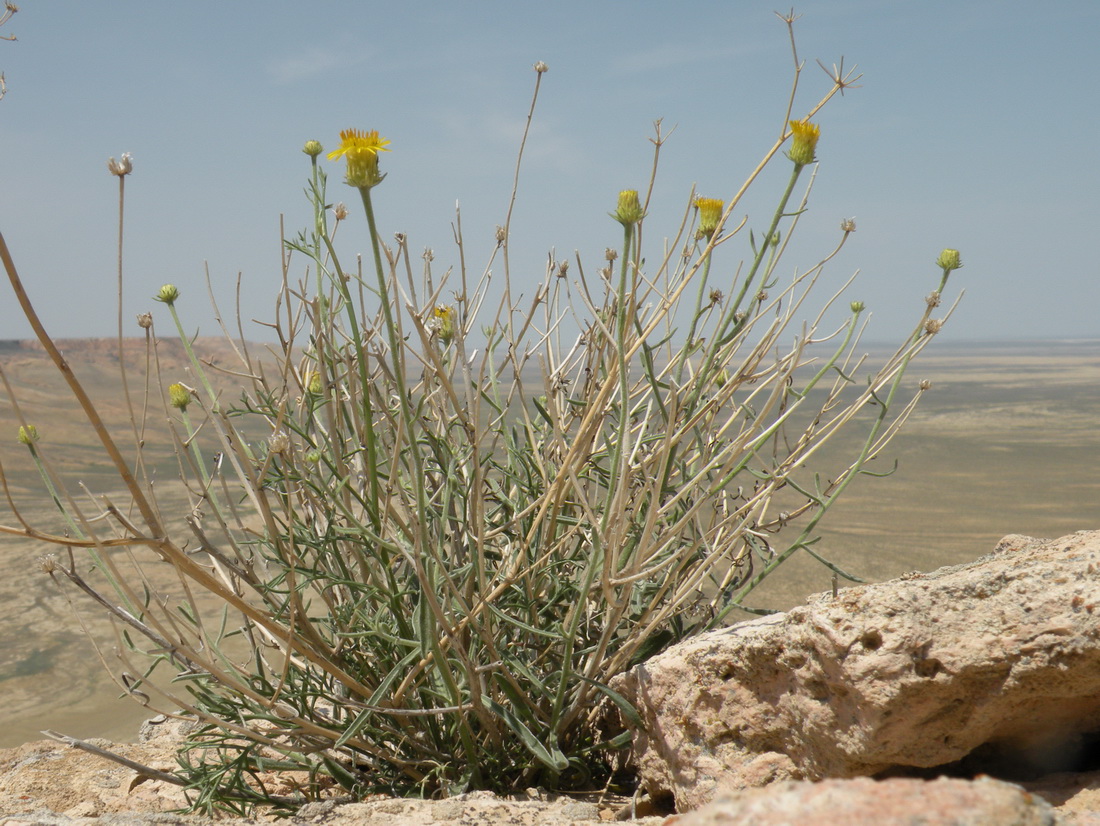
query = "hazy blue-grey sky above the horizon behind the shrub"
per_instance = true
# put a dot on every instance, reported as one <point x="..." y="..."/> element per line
<point x="971" y="129"/>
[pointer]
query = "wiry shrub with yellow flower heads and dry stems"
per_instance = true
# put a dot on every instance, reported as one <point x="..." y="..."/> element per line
<point x="436" y="523"/>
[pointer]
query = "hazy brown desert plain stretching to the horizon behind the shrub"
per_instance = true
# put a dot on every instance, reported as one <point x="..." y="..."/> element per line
<point x="1007" y="442"/>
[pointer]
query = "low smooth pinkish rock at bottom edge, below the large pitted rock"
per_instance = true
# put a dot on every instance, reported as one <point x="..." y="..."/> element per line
<point x="866" y="802"/>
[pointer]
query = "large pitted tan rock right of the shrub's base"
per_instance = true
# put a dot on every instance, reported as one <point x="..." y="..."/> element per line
<point x="999" y="658"/>
